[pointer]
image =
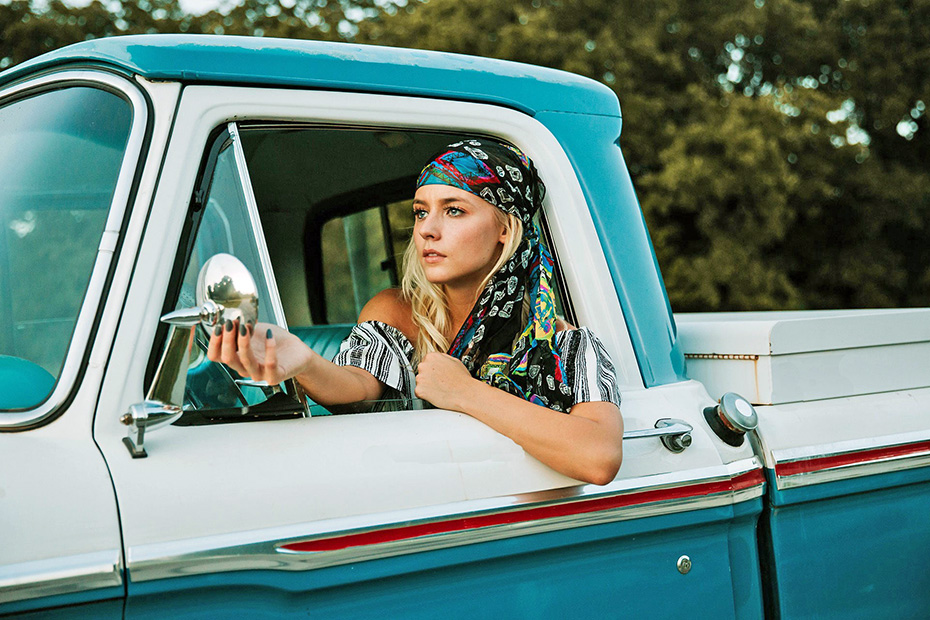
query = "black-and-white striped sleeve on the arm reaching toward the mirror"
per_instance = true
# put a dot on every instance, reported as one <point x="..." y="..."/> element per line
<point x="382" y="350"/>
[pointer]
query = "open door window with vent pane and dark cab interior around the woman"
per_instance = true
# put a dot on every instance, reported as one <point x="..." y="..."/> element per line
<point x="321" y="216"/>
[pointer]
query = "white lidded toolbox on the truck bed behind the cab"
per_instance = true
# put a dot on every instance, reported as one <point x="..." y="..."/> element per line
<point x="799" y="356"/>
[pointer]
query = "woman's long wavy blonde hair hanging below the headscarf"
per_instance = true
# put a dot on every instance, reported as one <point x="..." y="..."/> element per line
<point x="428" y="302"/>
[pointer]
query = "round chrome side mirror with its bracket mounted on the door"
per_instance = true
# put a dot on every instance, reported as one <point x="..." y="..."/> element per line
<point x="225" y="291"/>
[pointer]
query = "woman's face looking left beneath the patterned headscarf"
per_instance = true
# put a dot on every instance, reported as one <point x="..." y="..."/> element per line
<point x="458" y="235"/>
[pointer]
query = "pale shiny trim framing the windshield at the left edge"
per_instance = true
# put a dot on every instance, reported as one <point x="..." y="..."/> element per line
<point x="14" y="420"/>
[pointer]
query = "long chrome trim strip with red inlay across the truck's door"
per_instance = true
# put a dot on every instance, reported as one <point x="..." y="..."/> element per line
<point x="516" y="515"/>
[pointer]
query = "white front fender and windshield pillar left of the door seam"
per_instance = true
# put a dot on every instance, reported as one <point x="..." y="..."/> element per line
<point x="58" y="516"/>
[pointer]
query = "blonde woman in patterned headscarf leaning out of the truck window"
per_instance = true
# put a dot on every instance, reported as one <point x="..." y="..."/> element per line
<point x="475" y="317"/>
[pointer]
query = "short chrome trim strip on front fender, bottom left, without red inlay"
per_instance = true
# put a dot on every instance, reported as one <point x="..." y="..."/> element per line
<point x="56" y="576"/>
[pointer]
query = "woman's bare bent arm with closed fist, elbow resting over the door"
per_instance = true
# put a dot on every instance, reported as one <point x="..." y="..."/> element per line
<point x="586" y="444"/>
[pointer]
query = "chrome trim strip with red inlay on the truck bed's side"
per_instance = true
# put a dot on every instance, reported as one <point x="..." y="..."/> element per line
<point x="800" y="467"/>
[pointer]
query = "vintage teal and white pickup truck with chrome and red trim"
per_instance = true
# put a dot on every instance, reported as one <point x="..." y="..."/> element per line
<point x="138" y="479"/>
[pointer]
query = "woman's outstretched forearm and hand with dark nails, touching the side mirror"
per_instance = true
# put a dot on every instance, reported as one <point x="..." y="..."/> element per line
<point x="272" y="354"/>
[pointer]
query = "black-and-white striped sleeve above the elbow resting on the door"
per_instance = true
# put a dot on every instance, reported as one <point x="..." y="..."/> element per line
<point x="588" y="369"/>
